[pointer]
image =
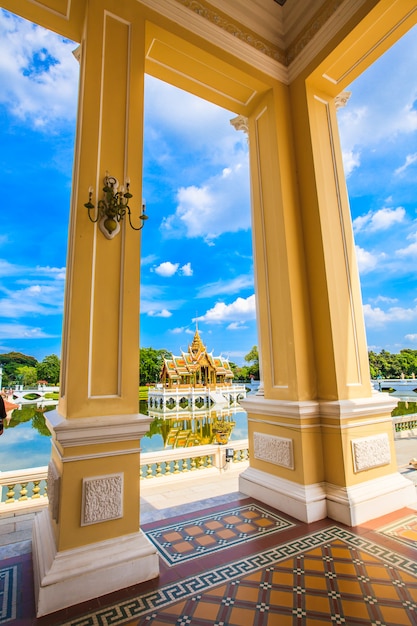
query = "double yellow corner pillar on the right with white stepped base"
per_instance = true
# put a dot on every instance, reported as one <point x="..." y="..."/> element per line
<point x="321" y="442"/>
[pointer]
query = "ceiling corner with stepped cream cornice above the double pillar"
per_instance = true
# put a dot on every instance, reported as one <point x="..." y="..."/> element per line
<point x="298" y="22"/>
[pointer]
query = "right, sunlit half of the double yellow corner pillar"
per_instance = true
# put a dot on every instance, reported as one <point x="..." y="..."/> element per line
<point x="360" y="470"/>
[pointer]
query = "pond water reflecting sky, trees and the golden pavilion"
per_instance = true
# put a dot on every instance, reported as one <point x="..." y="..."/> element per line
<point x="26" y="441"/>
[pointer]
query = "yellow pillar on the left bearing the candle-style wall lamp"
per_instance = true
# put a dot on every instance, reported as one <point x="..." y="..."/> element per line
<point x="89" y="543"/>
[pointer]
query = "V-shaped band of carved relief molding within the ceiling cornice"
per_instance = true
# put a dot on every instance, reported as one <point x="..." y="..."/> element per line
<point x="285" y="57"/>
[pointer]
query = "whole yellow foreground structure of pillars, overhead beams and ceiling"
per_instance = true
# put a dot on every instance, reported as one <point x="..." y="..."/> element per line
<point x="320" y="440"/>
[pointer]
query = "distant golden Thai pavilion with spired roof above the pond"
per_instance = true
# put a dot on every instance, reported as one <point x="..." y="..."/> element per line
<point x="196" y="367"/>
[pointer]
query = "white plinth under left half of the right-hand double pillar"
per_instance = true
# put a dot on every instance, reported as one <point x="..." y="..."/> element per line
<point x="306" y="503"/>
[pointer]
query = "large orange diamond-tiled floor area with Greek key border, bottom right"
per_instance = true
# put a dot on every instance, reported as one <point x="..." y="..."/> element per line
<point x="330" y="576"/>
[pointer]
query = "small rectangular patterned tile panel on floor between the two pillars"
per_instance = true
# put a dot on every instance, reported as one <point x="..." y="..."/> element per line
<point x="204" y="535"/>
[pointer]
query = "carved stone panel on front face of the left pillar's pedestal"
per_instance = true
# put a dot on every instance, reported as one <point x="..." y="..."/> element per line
<point x="102" y="499"/>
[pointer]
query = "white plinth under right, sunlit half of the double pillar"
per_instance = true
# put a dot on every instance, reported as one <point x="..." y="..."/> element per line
<point x="357" y="504"/>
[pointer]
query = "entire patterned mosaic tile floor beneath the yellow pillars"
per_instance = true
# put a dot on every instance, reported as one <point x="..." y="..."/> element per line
<point x="296" y="574"/>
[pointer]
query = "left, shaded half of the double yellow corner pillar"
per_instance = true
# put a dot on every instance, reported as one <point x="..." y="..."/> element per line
<point x="286" y="456"/>
